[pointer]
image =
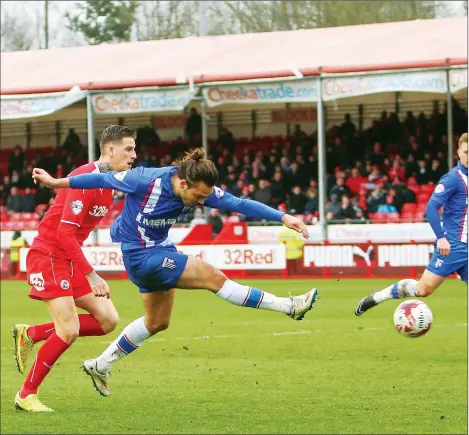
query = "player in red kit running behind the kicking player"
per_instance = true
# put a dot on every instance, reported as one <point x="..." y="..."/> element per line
<point x="60" y="275"/>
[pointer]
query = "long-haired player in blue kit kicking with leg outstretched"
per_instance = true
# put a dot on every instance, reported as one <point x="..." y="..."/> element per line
<point x="156" y="198"/>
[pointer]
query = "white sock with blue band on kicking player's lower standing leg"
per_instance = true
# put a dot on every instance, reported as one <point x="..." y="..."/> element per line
<point x="130" y="339"/>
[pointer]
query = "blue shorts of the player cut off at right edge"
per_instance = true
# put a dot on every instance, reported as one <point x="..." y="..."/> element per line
<point x="456" y="261"/>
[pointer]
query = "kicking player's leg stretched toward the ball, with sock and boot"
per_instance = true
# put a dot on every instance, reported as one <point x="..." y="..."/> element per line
<point x="199" y="274"/>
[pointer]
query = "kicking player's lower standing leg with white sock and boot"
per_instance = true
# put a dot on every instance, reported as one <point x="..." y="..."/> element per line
<point x="158" y="306"/>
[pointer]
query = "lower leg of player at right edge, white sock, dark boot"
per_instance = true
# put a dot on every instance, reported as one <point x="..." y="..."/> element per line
<point x="404" y="288"/>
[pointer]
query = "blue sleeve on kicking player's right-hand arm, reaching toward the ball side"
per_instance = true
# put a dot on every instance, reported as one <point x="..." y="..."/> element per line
<point x="225" y="201"/>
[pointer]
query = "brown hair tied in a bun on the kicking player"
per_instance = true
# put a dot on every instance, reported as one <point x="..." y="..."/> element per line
<point x="195" y="168"/>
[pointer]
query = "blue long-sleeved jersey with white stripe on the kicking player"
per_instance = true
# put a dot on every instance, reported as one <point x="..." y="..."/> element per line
<point x="151" y="207"/>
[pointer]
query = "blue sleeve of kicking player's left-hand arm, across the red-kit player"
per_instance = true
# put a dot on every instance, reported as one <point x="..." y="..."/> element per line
<point x="125" y="181"/>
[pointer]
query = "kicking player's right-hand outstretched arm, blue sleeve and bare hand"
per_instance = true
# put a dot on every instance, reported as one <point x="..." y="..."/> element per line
<point x="225" y="201"/>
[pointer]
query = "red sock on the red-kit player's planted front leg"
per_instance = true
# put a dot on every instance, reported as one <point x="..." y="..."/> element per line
<point x="46" y="357"/>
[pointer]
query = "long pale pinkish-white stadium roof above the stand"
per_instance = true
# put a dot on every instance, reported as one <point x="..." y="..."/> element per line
<point x="409" y="44"/>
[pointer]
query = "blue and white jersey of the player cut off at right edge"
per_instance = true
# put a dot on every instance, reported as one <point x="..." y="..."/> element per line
<point x="451" y="194"/>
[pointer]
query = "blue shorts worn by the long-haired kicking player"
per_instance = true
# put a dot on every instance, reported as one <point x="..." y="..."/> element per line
<point x="155" y="269"/>
